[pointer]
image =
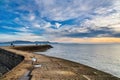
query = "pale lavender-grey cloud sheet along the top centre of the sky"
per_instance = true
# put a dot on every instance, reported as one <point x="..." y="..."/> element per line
<point x="66" y="9"/>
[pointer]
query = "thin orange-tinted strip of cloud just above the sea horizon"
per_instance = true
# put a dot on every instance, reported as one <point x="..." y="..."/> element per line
<point x="90" y="40"/>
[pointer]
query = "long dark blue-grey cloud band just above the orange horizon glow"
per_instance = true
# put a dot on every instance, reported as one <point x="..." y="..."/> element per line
<point x="101" y="32"/>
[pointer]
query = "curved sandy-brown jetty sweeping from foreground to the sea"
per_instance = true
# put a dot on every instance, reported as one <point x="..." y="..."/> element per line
<point x="48" y="68"/>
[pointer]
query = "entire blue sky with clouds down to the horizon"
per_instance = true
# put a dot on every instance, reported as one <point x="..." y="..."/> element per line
<point x="60" y="20"/>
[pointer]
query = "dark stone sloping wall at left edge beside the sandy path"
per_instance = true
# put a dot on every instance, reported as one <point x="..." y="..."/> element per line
<point x="8" y="60"/>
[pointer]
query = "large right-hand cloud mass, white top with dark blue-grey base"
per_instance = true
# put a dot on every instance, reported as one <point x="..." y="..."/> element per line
<point x="105" y="23"/>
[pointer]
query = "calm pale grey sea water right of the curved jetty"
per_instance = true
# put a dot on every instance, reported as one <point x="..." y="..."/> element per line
<point x="105" y="57"/>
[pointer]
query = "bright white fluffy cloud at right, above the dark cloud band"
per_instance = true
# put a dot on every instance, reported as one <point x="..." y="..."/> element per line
<point x="111" y="20"/>
